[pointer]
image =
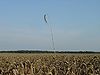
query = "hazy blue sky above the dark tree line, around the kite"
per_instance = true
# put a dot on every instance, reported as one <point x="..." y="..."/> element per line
<point x="75" y="24"/>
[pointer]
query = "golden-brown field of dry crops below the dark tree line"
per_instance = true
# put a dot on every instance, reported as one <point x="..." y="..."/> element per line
<point x="49" y="64"/>
